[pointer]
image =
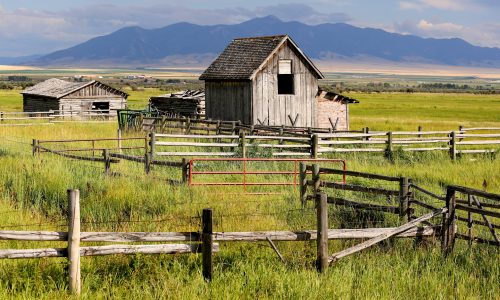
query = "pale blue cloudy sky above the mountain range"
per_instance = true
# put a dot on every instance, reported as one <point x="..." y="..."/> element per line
<point x="30" y="27"/>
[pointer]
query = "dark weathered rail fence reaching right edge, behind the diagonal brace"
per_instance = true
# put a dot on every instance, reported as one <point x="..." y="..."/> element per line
<point x="472" y="214"/>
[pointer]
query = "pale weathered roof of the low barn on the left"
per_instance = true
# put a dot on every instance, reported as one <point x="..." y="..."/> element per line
<point x="57" y="88"/>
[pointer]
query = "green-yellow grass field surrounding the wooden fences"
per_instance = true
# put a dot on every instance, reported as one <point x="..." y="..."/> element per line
<point x="33" y="193"/>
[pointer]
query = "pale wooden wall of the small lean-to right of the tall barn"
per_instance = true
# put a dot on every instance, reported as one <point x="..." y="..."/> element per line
<point x="335" y="110"/>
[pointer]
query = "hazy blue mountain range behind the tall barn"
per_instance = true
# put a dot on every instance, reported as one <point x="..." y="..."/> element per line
<point x="188" y="44"/>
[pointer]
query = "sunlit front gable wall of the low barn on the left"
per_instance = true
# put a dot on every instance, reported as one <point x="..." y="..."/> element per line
<point x="83" y="99"/>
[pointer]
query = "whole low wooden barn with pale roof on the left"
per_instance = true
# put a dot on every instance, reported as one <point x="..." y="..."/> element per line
<point x="73" y="97"/>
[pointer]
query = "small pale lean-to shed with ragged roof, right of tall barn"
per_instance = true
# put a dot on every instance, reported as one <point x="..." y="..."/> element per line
<point x="332" y="110"/>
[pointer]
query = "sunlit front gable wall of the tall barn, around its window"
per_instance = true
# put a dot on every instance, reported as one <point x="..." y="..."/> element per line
<point x="274" y="109"/>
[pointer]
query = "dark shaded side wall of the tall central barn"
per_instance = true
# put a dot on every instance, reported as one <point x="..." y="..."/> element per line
<point x="228" y="100"/>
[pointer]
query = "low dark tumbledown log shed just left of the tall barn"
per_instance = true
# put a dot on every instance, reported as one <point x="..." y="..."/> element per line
<point x="189" y="103"/>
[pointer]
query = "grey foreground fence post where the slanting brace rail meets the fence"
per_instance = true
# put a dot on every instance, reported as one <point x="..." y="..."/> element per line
<point x="322" y="233"/>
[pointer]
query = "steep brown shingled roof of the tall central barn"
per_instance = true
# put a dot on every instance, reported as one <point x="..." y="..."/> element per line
<point x="243" y="57"/>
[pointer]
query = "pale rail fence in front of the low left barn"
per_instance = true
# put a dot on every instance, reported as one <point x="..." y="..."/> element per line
<point x="54" y="116"/>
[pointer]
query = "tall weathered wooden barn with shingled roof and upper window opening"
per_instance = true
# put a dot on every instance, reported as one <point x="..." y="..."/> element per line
<point x="262" y="80"/>
